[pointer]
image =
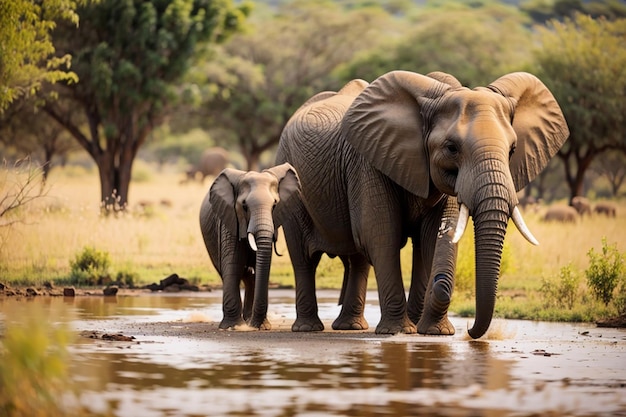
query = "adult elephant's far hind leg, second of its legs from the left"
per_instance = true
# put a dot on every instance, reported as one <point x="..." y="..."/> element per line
<point x="353" y="300"/>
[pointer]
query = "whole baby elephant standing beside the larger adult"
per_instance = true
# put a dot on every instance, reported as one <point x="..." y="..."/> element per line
<point x="239" y="218"/>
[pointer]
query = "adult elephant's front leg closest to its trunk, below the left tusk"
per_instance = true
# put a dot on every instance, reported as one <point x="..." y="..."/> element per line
<point x="440" y="259"/>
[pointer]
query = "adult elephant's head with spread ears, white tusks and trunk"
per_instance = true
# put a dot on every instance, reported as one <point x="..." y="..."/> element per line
<point x="431" y="135"/>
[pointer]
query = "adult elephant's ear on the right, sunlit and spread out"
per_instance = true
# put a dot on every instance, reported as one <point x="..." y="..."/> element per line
<point x="538" y="122"/>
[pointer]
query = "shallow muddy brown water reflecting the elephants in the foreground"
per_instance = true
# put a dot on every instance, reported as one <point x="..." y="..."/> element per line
<point x="179" y="364"/>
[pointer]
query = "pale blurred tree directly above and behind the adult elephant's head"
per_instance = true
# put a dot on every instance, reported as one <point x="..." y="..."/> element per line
<point x="475" y="44"/>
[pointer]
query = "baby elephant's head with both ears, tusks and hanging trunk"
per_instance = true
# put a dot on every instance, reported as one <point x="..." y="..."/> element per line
<point x="252" y="205"/>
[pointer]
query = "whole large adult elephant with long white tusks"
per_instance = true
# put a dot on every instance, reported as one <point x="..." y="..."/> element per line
<point x="412" y="156"/>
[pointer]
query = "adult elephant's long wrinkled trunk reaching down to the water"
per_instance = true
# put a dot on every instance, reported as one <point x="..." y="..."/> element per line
<point x="491" y="208"/>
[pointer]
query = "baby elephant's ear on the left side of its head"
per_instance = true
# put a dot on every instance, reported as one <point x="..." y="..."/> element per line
<point x="223" y="196"/>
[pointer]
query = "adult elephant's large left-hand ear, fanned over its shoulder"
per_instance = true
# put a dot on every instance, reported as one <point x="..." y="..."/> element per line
<point x="385" y="125"/>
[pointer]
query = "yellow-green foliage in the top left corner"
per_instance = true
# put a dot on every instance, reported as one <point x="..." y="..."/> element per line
<point x="26" y="50"/>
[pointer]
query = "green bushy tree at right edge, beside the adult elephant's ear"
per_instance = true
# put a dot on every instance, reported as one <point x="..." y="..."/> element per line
<point x="582" y="61"/>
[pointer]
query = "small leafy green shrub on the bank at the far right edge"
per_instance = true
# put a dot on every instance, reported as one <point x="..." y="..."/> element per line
<point x="605" y="271"/>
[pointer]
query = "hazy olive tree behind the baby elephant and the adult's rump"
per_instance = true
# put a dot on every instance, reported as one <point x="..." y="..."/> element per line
<point x="261" y="77"/>
